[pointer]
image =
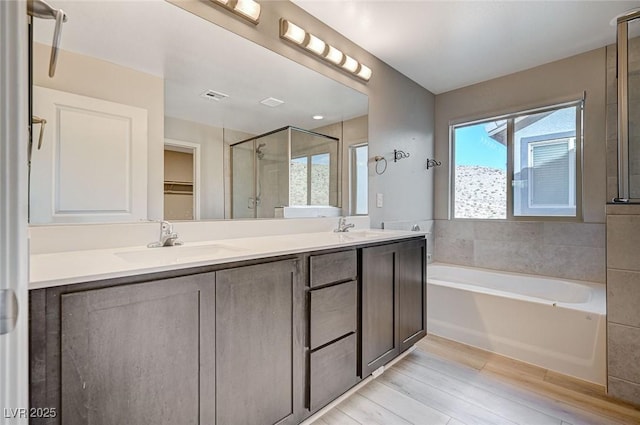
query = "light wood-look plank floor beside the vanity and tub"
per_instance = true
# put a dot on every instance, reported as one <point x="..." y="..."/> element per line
<point x="446" y="383"/>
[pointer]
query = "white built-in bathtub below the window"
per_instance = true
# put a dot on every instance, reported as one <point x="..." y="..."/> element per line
<point x="553" y="323"/>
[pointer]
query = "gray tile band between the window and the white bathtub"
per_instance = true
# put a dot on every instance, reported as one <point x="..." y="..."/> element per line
<point x="566" y="250"/>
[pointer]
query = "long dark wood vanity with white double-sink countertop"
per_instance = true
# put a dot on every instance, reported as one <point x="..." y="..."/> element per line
<point x="257" y="336"/>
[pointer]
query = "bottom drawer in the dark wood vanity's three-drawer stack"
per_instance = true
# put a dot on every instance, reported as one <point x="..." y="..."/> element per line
<point x="333" y="371"/>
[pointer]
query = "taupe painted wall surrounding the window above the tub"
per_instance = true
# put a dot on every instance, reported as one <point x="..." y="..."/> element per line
<point x="552" y="83"/>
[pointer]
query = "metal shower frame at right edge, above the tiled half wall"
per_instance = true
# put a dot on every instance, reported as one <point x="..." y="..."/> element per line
<point x="622" y="42"/>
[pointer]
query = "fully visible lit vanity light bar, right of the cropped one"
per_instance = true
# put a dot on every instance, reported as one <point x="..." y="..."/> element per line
<point x="298" y="36"/>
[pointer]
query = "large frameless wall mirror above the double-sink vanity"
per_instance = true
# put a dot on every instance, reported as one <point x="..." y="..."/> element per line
<point x="157" y="113"/>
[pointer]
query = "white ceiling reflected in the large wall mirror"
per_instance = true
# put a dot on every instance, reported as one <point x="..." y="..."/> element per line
<point x="193" y="55"/>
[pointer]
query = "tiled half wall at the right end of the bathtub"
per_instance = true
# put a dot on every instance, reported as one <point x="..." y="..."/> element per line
<point x="623" y="299"/>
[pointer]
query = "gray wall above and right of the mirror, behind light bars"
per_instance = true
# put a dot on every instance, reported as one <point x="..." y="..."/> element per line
<point x="400" y="111"/>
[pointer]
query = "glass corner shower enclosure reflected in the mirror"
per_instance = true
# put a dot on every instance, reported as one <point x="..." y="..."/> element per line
<point x="288" y="167"/>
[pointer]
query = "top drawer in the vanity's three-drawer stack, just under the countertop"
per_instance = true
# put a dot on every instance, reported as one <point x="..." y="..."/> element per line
<point x="334" y="267"/>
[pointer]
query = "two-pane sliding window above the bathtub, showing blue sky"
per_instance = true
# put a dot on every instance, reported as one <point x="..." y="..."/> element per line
<point x="519" y="165"/>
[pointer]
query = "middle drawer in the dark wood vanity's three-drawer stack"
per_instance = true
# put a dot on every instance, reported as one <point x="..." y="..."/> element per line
<point x="333" y="312"/>
